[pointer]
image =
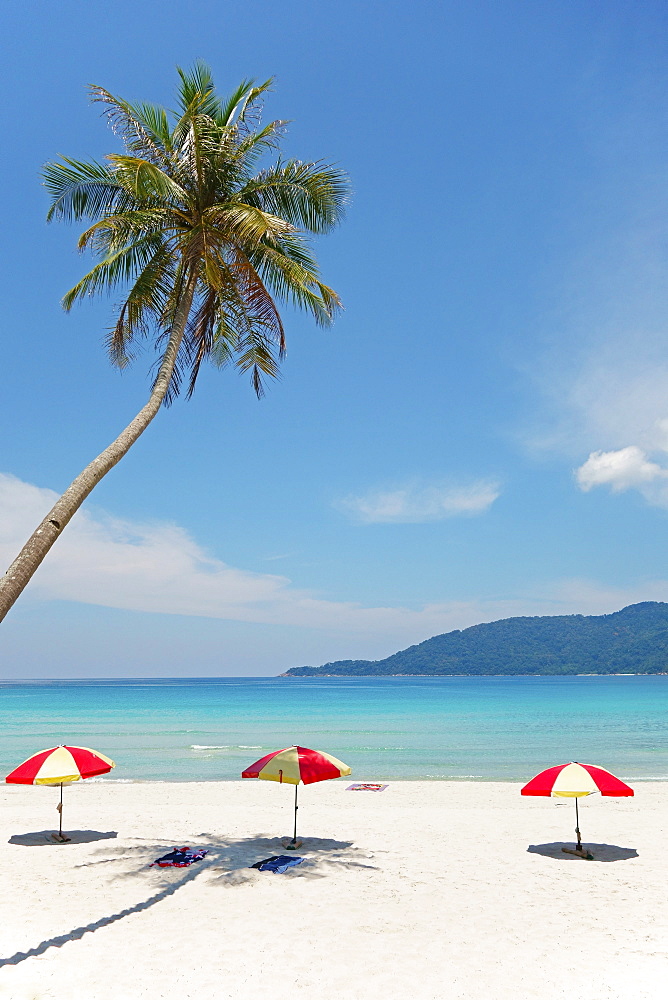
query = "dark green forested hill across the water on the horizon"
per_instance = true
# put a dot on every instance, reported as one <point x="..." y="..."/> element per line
<point x="633" y="640"/>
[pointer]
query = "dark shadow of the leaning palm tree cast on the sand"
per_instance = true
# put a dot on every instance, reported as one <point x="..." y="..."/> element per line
<point x="228" y="859"/>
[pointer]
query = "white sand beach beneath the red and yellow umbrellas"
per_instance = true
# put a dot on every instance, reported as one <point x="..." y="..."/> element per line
<point x="426" y="890"/>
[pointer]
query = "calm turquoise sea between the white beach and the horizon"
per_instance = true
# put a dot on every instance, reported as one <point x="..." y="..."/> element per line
<point x="498" y="728"/>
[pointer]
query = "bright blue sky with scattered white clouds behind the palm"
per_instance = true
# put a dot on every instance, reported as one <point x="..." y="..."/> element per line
<point x="483" y="433"/>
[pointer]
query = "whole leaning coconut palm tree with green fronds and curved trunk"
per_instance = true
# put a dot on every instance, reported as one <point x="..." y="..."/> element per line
<point x="206" y="242"/>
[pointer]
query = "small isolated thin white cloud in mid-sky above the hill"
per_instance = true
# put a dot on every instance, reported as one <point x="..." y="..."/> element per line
<point x="416" y="504"/>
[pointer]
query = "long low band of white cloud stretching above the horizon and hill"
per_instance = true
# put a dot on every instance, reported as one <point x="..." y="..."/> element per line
<point x="159" y="568"/>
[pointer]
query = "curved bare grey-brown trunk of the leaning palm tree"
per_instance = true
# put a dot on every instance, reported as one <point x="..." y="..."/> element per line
<point x="17" y="577"/>
